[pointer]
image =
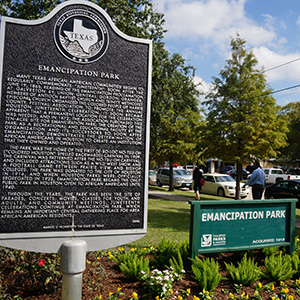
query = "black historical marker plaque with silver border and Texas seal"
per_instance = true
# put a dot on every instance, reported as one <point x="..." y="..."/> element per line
<point x="75" y="101"/>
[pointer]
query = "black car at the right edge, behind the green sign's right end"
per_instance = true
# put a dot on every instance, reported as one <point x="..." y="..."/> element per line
<point x="284" y="189"/>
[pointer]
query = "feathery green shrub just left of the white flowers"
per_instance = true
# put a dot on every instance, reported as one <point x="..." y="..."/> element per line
<point x="134" y="266"/>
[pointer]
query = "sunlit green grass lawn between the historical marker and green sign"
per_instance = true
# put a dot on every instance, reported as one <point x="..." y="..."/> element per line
<point x="171" y="219"/>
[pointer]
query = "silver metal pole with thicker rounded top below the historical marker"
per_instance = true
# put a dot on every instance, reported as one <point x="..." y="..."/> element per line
<point x="73" y="263"/>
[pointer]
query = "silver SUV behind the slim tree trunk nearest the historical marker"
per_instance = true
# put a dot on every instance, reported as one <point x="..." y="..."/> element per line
<point x="181" y="178"/>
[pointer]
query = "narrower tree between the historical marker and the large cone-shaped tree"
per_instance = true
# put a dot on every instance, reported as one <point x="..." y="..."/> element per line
<point x="179" y="115"/>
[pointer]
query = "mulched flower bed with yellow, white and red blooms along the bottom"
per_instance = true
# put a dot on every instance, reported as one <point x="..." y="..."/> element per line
<point x="26" y="275"/>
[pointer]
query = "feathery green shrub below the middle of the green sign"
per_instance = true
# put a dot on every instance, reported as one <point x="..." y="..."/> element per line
<point x="246" y="272"/>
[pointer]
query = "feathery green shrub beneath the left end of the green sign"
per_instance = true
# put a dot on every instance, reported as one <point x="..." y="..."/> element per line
<point x="206" y="273"/>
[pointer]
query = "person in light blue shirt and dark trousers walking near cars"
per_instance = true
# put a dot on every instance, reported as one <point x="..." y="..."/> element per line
<point x="257" y="181"/>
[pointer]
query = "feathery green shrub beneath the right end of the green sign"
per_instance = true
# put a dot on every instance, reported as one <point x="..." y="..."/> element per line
<point x="279" y="267"/>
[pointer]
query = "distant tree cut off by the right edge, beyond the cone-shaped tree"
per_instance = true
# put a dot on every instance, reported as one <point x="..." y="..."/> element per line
<point x="292" y="112"/>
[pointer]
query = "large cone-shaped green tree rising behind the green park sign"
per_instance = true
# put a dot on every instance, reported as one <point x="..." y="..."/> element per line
<point x="242" y="118"/>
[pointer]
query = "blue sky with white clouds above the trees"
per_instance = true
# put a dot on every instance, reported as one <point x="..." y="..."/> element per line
<point x="201" y="31"/>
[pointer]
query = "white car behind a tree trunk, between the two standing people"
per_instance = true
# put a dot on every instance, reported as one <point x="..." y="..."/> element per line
<point x="222" y="185"/>
